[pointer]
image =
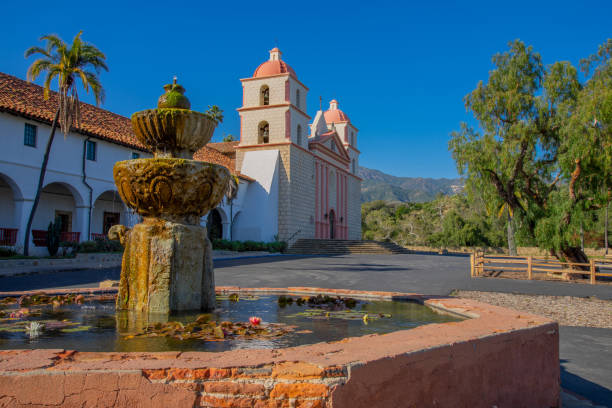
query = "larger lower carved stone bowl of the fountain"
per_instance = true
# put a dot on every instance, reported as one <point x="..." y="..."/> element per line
<point x="171" y="186"/>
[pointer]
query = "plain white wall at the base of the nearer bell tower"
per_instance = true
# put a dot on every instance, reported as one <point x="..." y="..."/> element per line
<point x="258" y="219"/>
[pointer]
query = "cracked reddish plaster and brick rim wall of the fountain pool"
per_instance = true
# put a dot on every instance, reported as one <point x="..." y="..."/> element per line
<point x="498" y="357"/>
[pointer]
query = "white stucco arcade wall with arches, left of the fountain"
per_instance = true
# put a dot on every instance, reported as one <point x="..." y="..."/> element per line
<point x="20" y="167"/>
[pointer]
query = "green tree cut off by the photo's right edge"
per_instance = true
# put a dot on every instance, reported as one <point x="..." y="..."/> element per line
<point x="585" y="161"/>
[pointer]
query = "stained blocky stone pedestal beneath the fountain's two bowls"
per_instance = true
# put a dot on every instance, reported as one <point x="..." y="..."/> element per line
<point x="167" y="266"/>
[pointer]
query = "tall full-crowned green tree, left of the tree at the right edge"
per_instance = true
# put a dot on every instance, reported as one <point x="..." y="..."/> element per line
<point x="514" y="160"/>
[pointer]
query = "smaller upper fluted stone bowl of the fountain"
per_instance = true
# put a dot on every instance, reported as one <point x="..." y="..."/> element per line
<point x="173" y="132"/>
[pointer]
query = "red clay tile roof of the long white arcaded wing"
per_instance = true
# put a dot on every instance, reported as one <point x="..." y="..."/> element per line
<point x="25" y="99"/>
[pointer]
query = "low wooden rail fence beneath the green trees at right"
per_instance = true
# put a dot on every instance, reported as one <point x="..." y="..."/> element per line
<point x="482" y="264"/>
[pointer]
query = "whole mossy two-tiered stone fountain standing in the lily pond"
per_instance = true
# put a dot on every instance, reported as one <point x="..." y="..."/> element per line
<point x="167" y="262"/>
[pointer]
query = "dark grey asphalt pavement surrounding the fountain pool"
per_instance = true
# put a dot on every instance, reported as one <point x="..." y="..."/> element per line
<point x="586" y="353"/>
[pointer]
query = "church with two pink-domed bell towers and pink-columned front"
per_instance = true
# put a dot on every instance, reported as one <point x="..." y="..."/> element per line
<point x="307" y="168"/>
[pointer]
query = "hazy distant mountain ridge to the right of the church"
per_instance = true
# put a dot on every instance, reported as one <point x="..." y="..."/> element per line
<point x="377" y="185"/>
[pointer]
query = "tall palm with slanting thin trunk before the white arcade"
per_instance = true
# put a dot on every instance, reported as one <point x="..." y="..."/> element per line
<point x="67" y="63"/>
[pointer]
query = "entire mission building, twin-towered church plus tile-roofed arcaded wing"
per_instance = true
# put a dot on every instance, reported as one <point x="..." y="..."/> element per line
<point x="297" y="177"/>
